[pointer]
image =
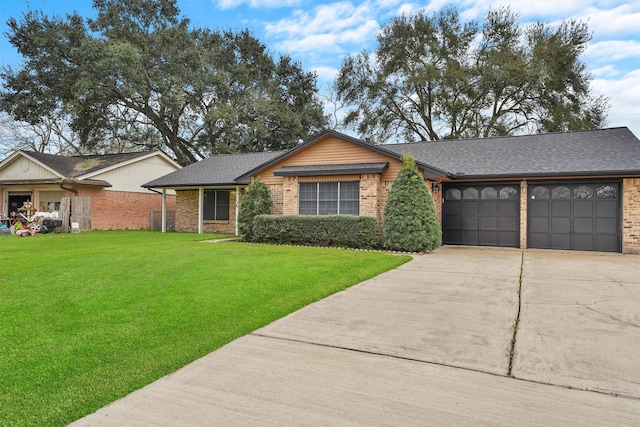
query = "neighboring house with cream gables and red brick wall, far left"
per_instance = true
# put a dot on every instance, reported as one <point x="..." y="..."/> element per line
<point x="112" y="181"/>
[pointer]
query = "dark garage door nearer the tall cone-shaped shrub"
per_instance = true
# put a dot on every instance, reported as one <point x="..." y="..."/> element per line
<point x="481" y="215"/>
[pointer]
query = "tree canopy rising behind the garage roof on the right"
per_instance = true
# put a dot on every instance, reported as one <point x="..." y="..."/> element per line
<point x="435" y="76"/>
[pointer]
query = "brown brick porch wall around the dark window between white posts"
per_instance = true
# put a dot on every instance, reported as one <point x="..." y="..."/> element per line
<point x="187" y="215"/>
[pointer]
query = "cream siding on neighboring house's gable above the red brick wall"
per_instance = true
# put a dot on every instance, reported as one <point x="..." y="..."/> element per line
<point x="131" y="177"/>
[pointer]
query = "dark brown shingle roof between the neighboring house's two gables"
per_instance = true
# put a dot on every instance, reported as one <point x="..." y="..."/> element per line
<point x="74" y="166"/>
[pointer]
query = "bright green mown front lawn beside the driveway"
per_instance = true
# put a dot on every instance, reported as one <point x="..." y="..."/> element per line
<point x="87" y="318"/>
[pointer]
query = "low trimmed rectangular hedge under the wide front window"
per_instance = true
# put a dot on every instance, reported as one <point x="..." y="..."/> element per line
<point x="348" y="231"/>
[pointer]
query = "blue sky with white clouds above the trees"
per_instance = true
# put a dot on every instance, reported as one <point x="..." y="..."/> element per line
<point x="321" y="33"/>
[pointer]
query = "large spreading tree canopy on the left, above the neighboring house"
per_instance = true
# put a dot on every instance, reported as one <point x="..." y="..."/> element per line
<point x="139" y="72"/>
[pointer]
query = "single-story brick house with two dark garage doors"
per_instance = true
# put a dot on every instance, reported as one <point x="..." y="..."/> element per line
<point x="576" y="190"/>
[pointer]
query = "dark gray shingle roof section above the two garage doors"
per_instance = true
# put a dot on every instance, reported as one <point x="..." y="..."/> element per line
<point x="594" y="152"/>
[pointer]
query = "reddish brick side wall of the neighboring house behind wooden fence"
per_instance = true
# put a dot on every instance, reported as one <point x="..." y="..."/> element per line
<point x="121" y="210"/>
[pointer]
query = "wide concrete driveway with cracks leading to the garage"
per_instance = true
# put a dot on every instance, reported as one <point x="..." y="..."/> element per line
<point x="428" y="343"/>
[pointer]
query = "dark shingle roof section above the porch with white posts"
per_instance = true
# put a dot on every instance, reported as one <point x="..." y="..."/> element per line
<point x="216" y="170"/>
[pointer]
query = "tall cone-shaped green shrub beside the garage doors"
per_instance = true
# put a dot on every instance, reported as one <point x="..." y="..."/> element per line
<point x="410" y="220"/>
